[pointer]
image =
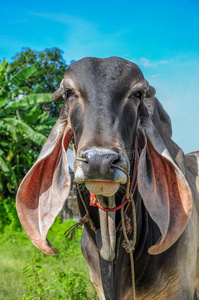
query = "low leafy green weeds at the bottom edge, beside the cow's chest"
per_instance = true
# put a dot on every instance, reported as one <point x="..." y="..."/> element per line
<point x="71" y="285"/>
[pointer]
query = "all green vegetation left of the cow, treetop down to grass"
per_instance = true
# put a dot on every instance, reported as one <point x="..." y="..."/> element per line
<point x="27" y="115"/>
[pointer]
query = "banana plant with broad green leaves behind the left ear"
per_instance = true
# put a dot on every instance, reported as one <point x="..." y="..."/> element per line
<point x="24" y="124"/>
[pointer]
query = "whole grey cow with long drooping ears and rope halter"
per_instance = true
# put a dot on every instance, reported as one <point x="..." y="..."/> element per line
<point x="133" y="181"/>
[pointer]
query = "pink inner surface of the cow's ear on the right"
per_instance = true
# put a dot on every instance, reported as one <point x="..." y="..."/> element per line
<point x="166" y="196"/>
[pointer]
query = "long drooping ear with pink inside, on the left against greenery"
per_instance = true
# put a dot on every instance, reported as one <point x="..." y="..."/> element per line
<point x="44" y="189"/>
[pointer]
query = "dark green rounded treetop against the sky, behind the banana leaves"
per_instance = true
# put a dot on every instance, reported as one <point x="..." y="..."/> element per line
<point x="50" y="69"/>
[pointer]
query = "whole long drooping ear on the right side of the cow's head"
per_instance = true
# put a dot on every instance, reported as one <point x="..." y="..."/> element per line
<point x="162" y="184"/>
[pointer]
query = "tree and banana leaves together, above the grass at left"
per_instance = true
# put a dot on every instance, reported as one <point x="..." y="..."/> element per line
<point x="26" y="121"/>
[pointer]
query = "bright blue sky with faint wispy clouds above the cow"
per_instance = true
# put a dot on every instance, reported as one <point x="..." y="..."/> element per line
<point x="162" y="37"/>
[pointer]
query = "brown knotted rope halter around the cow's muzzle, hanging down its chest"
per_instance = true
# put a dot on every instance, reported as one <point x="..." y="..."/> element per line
<point x="128" y="245"/>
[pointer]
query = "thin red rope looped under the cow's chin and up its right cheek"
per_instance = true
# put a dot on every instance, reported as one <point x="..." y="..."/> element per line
<point x="93" y="198"/>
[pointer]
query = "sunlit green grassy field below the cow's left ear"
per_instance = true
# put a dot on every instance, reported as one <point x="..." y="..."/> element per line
<point x="27" y="273"/>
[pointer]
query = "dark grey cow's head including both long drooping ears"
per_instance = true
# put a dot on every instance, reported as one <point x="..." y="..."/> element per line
<point x="105" y="107"/>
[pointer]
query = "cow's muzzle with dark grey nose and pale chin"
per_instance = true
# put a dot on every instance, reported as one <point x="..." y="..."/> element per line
<point x="96" y="169"/>
